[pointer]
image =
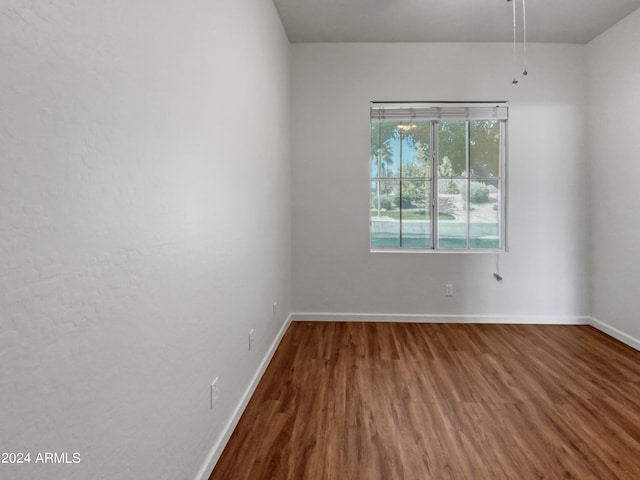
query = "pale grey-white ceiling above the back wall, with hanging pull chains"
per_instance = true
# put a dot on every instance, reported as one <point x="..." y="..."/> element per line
<point x="554" y="21"/>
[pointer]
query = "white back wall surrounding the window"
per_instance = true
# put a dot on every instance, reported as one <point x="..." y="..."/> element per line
<point x="545" y="271"/>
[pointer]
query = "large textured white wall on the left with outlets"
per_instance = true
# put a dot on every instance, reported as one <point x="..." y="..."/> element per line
<point x="144" y="226"/>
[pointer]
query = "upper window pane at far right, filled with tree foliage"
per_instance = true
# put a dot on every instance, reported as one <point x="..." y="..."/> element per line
<point x="484" y="148"/>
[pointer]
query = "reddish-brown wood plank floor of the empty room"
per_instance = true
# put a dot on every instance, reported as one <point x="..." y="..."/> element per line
<point x="381" y="401"/>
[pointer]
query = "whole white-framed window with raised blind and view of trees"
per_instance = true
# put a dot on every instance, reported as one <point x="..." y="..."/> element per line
<point x="438" y="176"/>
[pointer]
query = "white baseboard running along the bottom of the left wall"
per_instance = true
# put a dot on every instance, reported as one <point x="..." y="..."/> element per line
<point x="221" y="442"/>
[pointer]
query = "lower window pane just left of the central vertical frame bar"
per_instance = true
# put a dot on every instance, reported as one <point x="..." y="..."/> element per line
<point x="416" y="225"/>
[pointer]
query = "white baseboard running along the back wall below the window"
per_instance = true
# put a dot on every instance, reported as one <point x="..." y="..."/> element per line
<point x="440" y="318"/>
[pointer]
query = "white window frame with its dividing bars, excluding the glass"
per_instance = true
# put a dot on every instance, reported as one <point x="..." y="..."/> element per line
<point x="434" y="112"/>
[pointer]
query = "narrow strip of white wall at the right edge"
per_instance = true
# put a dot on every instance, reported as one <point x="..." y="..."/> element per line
<point x="614" y="103"/>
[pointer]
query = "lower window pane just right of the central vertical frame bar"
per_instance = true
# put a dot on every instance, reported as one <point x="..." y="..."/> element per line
<point x="452" y="214"/>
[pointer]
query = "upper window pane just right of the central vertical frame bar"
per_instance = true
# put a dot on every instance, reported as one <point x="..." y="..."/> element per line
<point x="452" y="145"/>
